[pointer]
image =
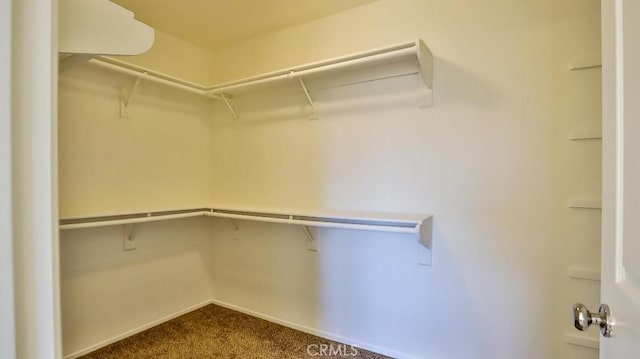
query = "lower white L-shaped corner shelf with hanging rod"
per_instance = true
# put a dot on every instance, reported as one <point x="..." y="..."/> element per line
<point x="418" y="225"/>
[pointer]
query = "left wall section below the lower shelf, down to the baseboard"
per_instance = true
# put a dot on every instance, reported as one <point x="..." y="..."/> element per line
<point x="108" y="293"/>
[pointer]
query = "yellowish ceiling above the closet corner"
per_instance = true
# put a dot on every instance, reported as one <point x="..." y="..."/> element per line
<point x="212" y="24"/>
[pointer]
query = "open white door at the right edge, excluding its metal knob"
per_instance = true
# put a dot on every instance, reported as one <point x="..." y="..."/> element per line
<point x="621" y="176"/>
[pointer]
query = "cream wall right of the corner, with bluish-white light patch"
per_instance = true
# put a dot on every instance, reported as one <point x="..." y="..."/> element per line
<point x="490" y="160"/>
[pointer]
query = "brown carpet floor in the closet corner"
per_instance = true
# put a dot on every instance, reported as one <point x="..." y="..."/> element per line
<point x="217" y="332"/>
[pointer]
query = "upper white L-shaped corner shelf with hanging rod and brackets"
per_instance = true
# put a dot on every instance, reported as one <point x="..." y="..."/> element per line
<point x="416" y="53"/>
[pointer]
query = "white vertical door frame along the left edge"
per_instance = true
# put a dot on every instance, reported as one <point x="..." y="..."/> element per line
<point x="34" y="204"/>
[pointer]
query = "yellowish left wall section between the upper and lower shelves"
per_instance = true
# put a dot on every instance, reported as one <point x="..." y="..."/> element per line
<point x="156" y="159"/>
